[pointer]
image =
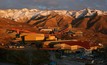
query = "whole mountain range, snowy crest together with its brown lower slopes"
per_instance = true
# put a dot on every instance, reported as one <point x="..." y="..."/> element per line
<point x="86" y="18"/>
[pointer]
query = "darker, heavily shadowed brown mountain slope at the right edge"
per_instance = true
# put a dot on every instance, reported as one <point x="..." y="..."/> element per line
<point x="95" y="23"/>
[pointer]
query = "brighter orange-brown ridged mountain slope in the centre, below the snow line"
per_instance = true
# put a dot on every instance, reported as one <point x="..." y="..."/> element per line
<point x="52" y="20"/>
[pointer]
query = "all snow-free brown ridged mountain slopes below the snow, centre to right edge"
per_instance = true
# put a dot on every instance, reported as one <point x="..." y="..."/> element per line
<point x="97" y="23"/>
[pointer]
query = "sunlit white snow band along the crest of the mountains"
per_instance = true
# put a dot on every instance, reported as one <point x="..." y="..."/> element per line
<point x="22" y="15"/>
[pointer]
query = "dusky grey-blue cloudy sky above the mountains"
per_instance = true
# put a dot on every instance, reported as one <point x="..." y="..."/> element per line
<point x="54" y="4"/>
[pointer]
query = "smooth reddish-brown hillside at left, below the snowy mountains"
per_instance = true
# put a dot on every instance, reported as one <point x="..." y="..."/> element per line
<point x="7" y="24"/>
